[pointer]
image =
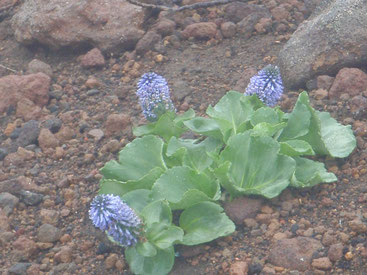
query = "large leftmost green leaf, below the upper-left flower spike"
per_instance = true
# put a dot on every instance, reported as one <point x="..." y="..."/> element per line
<point x="136" y="160"/>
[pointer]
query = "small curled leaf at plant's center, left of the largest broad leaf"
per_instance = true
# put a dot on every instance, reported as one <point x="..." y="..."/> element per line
<point x="195" y="154"/>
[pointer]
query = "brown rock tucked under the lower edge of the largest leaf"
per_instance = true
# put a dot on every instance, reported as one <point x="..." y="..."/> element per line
<point x="242" y="208"/>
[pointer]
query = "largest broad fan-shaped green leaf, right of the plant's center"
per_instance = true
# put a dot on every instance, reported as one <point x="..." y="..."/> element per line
<point x="256" y="167"/>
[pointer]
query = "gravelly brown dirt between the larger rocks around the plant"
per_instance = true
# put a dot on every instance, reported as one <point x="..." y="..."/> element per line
<point x="199" y="73"/>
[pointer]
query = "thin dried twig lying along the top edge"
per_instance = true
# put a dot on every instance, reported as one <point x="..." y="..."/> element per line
<point x="186" y="7"/>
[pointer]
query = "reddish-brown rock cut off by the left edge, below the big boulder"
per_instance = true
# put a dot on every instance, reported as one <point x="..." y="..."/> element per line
<point x="34" y="87"/>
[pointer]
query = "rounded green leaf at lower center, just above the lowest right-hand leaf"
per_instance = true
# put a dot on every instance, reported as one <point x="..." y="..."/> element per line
<point x="183" y="187"/>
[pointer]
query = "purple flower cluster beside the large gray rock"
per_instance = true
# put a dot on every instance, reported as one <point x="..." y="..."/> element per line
<point x="267" y="84"/>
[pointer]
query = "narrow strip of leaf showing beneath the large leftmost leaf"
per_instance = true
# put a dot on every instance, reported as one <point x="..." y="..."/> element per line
<point x="111" y="186"/>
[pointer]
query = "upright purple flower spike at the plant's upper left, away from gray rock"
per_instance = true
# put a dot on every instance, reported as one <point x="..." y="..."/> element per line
<point x="154" y="97"/>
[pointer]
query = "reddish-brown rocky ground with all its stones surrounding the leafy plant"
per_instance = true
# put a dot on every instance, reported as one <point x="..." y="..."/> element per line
<point x="67" y="108"/>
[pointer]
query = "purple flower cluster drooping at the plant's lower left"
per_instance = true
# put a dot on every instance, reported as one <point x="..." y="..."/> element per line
<point x="109" y="213"/>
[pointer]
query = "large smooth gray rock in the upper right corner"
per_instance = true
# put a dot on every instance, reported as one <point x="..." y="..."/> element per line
<point x="334" y="37"/>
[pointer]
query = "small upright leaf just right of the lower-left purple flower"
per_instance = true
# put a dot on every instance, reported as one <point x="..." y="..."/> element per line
<point x="157" y="212"/>
